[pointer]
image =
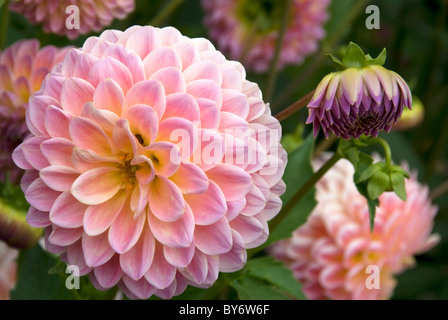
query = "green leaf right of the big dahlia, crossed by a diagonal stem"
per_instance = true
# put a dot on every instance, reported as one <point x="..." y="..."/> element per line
<point x="297" y="172"/>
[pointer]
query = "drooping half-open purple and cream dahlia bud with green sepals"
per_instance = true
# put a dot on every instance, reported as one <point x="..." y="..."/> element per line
<point x="363" y="98"/>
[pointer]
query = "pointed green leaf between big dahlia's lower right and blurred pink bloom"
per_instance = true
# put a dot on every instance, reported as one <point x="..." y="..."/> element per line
<point x="276" y="273"/>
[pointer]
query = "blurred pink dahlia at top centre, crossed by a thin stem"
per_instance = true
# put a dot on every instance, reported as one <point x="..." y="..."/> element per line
<point x="248" y="30"/>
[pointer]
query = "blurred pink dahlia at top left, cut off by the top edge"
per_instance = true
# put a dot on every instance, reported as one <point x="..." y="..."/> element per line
<point x="59" y="18"/>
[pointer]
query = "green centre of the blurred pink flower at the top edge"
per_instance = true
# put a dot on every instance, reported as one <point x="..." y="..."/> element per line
<point x="264" y="15"/>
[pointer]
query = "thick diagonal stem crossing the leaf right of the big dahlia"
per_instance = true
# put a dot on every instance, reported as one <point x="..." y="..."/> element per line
<point x="303" y="191"/>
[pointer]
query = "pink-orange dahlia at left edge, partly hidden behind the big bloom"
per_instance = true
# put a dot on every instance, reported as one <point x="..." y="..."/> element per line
<point x="23" y="67"/>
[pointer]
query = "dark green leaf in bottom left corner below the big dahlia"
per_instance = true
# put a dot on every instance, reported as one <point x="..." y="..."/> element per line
<point x="34" y="280"/>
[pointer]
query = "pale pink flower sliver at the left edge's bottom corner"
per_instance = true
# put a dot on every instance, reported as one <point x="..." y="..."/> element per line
<point x="8" y="270"/>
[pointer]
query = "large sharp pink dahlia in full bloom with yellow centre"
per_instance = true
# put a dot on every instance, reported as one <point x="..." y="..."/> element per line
<point x="153" y="163"/>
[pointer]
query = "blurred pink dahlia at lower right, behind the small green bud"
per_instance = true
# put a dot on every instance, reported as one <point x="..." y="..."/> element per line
<point x="335" y="255"/>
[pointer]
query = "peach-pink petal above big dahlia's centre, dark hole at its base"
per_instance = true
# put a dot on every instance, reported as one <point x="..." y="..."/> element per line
<point x="143" y="121"/>
